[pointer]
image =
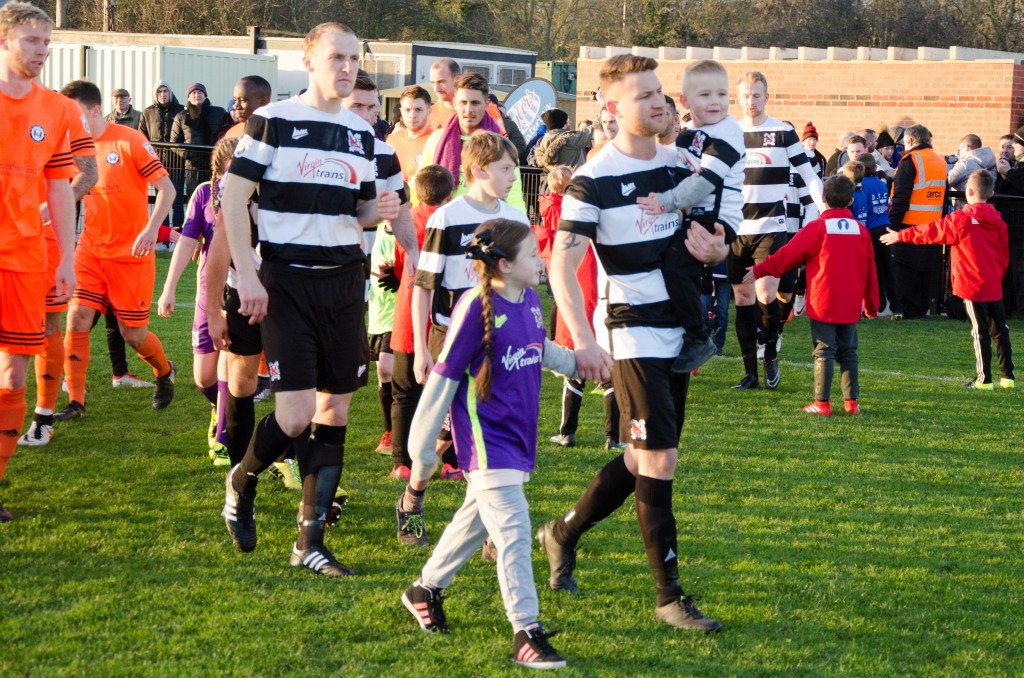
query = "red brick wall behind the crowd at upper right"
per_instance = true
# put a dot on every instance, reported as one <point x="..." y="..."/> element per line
<point x="952" y="99"/>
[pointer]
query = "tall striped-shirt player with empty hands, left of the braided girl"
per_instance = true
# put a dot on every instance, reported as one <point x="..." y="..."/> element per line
<point x="313" y="161"/>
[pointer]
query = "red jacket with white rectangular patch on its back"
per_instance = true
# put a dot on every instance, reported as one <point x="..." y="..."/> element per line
<point x="841" y="278"/>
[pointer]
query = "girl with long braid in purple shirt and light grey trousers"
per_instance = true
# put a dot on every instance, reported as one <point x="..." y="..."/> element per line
<point x="489" y="375"/>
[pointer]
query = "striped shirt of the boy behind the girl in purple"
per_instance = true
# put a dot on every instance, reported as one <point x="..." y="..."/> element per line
<point x="444" y="266"/>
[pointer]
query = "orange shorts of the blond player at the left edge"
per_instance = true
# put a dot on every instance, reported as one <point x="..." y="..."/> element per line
<point x="23" y="312"/>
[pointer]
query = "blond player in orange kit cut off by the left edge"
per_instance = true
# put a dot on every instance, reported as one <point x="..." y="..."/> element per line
<point x="35" y="144"/>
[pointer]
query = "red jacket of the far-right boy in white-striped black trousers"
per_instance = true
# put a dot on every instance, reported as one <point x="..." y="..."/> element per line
<point x="980" y="249"/>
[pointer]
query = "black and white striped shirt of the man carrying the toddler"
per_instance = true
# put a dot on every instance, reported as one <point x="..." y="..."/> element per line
<point x="602" y="204"/>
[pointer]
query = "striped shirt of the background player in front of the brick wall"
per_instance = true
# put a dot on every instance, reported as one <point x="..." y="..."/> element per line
<point x="774" y="150"/>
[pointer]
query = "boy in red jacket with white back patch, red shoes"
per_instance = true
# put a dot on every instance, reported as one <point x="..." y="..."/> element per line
<point x="841" y="283"/>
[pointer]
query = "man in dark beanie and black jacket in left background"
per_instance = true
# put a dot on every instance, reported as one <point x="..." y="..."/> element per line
<point x="200" y="124"/>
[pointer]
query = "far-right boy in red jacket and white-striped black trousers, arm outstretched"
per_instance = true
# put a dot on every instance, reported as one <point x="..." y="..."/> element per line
<point x="980" y="255"/>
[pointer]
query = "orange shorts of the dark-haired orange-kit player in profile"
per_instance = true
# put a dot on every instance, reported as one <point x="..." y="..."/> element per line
<point x="124" y="286"/>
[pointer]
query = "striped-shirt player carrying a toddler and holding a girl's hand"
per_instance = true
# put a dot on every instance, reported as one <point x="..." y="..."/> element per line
<point x="601" y="207"/>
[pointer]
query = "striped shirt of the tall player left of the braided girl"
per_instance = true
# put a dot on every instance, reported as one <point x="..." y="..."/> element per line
<point x="314" y="169"/>
